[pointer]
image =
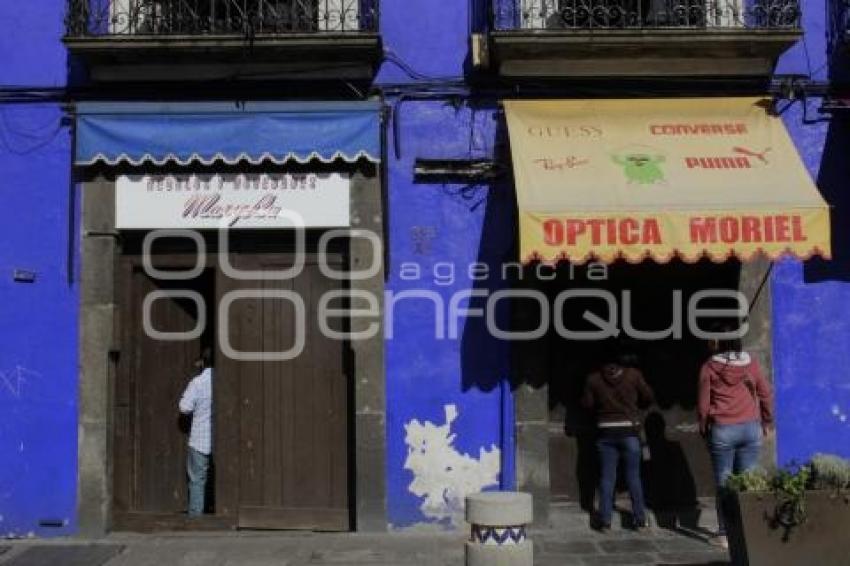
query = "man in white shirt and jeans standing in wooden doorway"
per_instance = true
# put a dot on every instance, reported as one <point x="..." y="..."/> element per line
<point x="197" y="401"/>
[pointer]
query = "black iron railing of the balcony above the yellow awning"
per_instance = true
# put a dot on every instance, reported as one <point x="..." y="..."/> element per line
<point x="644" y="14"/>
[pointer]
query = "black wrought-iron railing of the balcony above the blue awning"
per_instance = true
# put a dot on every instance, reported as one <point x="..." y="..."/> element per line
<point x="87" y="18"/>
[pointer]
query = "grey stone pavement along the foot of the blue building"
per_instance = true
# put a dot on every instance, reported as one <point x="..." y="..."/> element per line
<point x="566" y="541"/>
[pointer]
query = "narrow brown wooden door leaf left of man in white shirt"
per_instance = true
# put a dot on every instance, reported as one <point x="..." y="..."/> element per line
<point x="150" y="436"/>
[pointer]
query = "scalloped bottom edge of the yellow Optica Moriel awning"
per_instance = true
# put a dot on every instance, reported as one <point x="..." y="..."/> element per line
<point x="633" y="258"/>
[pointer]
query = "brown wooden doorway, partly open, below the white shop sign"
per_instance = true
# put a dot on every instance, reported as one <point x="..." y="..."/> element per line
<point x="282" y="439"/>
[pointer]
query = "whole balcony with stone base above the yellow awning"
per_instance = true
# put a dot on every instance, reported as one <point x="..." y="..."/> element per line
<point x="640" y="38"/>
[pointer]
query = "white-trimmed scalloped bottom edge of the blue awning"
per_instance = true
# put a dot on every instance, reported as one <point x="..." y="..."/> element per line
<point x="221" y="158"/>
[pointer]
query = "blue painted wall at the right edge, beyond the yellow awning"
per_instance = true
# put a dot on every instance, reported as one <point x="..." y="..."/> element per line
<point x="810" y="299"/>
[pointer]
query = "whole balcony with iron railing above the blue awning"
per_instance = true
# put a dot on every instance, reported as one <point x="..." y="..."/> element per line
<point x="203" y="40"/>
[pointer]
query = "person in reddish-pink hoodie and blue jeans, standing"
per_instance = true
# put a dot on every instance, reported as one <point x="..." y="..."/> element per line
<point x="735" y="413"/>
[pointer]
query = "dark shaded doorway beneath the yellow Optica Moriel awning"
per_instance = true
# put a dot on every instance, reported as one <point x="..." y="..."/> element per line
<point x="677" y="470"/>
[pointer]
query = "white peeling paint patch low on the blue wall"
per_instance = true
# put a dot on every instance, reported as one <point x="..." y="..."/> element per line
<point x="442" y="475"/>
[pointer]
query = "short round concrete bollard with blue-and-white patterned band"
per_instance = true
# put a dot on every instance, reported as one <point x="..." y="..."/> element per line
<point x="499" y="520"/>
